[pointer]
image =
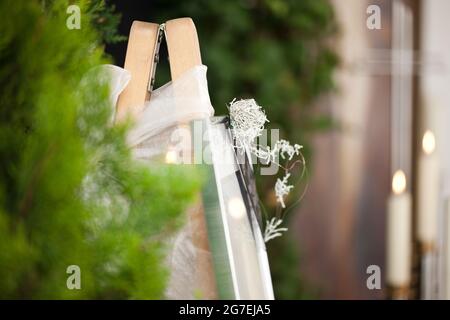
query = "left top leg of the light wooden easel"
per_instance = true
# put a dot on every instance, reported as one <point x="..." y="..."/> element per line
<point x="139" y="62"/>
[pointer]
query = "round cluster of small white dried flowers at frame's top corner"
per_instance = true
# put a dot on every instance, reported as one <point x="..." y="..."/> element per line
<point x="247" y="120"/>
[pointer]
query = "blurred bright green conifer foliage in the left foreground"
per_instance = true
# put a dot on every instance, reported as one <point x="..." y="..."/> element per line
<point x="69" y="191"/>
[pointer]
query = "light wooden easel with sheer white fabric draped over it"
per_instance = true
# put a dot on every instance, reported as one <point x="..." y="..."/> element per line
<point x="184" y="53"/>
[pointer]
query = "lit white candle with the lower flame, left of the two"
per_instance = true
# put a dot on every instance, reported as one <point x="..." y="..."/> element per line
<point x="399" y="233"/>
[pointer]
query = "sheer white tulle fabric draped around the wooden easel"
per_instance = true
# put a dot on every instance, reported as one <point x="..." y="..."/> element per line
<point x="177" y="102"/>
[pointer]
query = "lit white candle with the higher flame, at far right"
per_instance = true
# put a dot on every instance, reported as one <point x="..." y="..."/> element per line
<point x="428" y="192"/>
